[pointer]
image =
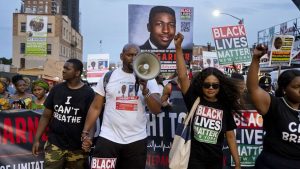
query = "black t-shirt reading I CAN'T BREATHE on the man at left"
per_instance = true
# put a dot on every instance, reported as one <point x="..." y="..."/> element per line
<point x="70" y="107"/>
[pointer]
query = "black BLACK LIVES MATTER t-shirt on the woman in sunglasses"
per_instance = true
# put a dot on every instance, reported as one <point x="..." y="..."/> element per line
<point x="210" y="122"/>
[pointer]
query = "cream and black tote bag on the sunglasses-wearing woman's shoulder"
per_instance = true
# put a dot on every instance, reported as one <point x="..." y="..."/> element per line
<point x="180" y="151"/>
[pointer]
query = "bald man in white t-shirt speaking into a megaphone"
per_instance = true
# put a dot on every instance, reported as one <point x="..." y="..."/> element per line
<point x="122" y="142"/>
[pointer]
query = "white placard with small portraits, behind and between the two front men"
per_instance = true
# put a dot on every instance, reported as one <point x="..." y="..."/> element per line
<point x="97" y="66"/>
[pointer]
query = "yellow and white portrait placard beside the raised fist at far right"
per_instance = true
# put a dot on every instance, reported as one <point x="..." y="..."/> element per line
<point x="281" y="51"/>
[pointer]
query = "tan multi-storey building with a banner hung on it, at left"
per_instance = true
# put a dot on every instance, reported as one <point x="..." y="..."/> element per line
<point x="62" y="42"/>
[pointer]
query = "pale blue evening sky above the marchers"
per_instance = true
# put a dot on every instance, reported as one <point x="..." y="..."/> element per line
<point x="107" y="21"/>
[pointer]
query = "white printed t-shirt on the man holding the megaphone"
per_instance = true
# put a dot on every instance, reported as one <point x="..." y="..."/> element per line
<point x="124" y="118"/>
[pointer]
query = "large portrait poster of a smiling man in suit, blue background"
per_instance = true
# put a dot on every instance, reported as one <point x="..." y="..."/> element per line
<point x="153" y="28"/>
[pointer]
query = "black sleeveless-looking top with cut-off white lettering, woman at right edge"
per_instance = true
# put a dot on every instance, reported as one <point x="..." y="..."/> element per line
<point x="282" y="126"/>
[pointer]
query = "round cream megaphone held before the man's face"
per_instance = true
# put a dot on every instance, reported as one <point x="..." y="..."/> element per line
<point x="146" y="65"/>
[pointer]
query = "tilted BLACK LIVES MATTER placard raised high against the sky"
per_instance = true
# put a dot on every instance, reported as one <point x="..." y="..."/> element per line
<point x="231" y="44"/>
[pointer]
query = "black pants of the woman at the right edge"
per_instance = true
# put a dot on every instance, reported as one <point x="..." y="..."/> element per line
<point x="271" y="161"/>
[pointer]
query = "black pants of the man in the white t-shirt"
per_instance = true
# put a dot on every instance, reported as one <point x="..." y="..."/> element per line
<point x="119" y="156"/>
